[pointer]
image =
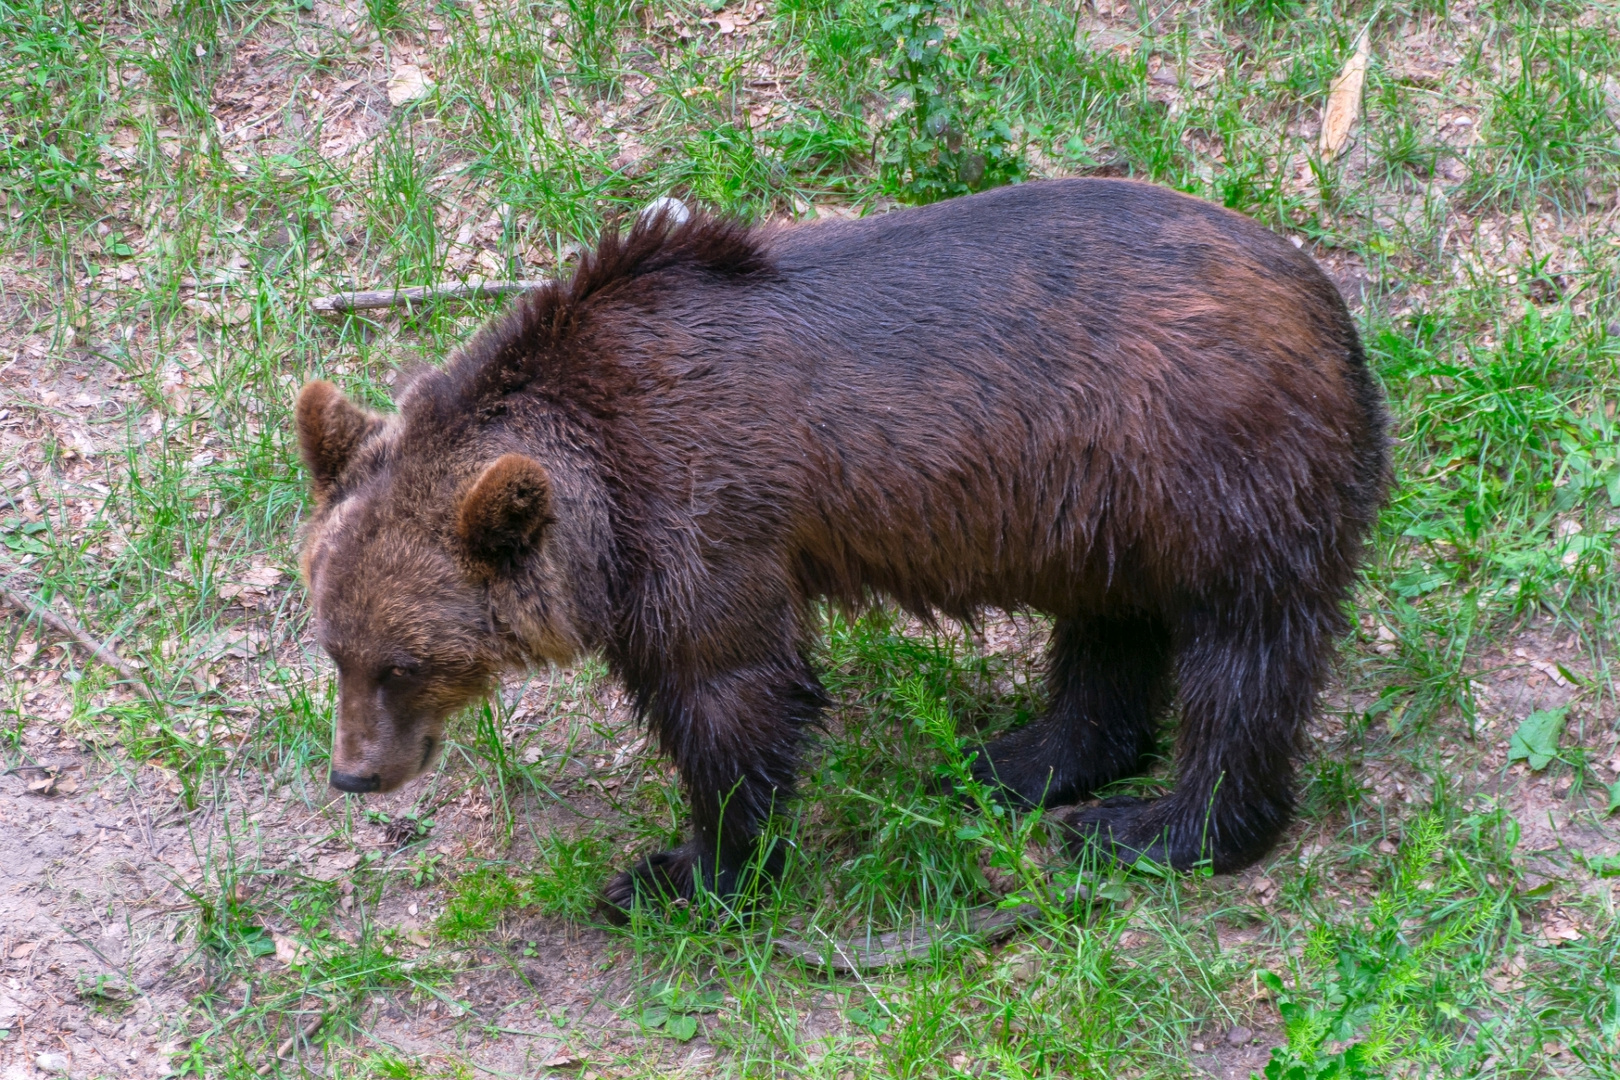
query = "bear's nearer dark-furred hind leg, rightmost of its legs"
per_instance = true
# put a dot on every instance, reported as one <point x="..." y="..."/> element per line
<point x="1248" y="682"/>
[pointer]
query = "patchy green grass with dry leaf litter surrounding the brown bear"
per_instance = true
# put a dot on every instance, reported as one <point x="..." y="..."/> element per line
<point x="164" y="252"/>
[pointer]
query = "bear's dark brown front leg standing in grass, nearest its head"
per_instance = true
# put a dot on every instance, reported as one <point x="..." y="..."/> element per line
<point x="736" y="739"/>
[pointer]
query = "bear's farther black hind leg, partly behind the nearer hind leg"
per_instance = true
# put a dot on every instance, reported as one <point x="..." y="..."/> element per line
<point x="1109" y="682"/>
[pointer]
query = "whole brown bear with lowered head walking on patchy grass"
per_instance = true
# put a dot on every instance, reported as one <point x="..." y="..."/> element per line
<point x="1136" y="412"/>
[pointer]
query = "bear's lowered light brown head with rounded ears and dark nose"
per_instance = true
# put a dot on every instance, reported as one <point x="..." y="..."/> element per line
<point x="404" y="589"/>
